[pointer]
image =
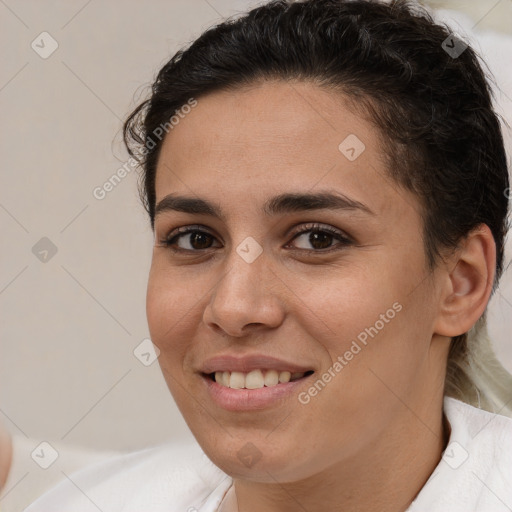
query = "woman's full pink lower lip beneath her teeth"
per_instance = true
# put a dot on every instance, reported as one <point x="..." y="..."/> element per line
<point x="253" y="399"/>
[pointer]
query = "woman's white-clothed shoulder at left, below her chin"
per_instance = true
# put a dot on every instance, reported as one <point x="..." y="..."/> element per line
<point x="162" y="478"/>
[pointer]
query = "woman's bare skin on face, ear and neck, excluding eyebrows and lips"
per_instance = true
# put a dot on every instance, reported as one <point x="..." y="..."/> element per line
<point x="369" y="439"/>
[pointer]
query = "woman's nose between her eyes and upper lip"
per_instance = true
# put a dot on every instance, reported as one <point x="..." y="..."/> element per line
<point x="244" y="298"/>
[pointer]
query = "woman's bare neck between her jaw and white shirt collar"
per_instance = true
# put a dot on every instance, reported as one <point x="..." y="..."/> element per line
<point x="387" y="476"/>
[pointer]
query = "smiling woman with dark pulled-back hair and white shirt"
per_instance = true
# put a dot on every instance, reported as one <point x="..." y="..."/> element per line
<point x="327" y="185"/>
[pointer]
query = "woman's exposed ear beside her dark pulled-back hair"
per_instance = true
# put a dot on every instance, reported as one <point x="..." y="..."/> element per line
<point x="467" y="283"/>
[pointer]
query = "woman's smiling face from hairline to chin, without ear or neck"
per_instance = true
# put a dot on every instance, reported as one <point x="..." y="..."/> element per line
<point x="276" y="277"/>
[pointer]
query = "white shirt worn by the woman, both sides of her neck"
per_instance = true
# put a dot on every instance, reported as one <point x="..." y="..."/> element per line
<point x="474" y="475"/>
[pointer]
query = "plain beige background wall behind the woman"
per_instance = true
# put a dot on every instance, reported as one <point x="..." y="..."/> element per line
<point x="69" y="326"/>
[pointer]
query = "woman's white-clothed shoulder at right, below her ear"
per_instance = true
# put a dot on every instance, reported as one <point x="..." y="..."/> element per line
<point x="475" y="471"/>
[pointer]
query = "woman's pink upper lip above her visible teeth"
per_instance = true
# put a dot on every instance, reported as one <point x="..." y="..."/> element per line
<point x="245" y="364"/>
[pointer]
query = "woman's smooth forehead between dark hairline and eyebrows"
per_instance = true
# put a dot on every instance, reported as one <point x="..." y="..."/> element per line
<point x="271" y="137"/>
